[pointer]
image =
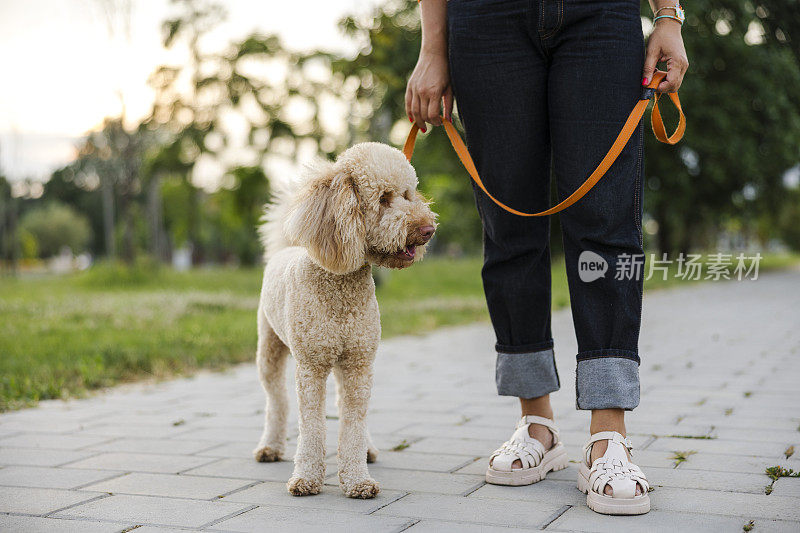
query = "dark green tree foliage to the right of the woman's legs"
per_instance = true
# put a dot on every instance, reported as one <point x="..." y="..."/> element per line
<point x="743" y="130"/>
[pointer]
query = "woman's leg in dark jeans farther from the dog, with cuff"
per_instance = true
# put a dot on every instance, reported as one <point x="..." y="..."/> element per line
<point x="596" y="57"/>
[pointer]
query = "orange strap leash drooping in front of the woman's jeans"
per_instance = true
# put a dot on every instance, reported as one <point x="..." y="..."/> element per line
<point x="616" y="148"/>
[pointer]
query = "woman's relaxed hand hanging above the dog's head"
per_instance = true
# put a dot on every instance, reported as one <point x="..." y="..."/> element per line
<point x="428" y="86"/>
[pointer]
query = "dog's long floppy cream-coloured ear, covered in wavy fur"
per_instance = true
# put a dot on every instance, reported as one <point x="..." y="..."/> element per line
<point x="326" y="218"/>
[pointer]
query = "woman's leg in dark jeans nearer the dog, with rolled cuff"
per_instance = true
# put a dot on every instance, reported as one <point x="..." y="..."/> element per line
<point x="499" y="76"/>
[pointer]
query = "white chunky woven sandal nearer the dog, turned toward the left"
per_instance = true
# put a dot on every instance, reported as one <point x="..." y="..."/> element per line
<point x="536" y="461"/>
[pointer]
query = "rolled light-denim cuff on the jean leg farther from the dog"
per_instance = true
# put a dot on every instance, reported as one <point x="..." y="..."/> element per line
<point x="607" y="379"/>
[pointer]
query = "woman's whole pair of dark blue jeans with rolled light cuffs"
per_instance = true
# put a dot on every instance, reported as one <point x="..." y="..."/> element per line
<point x="544" y="86"/>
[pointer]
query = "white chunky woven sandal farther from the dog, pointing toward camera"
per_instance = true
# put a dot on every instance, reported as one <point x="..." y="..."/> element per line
<point x="615" y="470"/>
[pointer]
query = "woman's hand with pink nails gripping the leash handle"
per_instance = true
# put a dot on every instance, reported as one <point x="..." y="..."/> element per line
<point x="666" y="44"/>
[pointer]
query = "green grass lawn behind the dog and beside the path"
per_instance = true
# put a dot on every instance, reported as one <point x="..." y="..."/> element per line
<point x="60" y="336"/>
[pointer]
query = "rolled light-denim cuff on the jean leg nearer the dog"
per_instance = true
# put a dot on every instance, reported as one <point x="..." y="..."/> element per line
<point x="526" y="375"/>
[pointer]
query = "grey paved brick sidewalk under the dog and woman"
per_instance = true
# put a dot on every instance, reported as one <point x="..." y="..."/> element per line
<point x="719" y="388"/>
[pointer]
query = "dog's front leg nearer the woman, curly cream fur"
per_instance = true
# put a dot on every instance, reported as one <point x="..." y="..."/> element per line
<point x="354" y="389"/>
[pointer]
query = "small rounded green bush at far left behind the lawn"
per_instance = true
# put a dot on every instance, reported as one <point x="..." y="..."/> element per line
<point x="54" y="226"/>
